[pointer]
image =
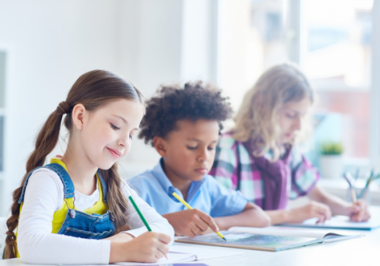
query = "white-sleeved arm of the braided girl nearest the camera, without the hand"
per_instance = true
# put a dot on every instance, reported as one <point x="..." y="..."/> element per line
<point x="36" y="243"/>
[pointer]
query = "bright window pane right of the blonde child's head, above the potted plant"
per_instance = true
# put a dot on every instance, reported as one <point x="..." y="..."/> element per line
<point x="336" y="57"/>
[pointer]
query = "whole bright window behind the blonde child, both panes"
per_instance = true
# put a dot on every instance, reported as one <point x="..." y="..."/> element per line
<point x="330" y="40"/>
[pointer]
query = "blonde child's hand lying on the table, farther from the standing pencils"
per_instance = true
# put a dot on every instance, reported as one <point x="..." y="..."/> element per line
<point x="311" y="210"/>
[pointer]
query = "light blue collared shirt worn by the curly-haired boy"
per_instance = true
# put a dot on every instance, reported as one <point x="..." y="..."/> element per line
<point x="206" y="195"/>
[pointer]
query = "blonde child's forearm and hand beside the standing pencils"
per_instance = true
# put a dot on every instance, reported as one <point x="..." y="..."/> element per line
<point x="358" y="212"/>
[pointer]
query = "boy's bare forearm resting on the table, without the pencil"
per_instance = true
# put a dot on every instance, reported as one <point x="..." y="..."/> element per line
<point x="251" y="216"/>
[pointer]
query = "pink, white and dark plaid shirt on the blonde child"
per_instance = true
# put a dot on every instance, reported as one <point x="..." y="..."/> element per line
<point x="229" y="153"/>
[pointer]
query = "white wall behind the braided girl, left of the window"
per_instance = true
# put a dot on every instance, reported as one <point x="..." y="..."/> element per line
<point x="51" y="43"/>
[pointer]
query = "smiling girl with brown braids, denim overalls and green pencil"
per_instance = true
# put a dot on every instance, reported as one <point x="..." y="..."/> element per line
<point x="75" y="210"/>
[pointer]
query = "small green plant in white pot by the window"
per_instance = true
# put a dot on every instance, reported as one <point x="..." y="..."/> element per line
<point x="331" y="160"/>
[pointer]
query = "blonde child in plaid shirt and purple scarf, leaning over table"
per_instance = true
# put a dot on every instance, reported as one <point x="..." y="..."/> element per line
<point x="259" y="156"/>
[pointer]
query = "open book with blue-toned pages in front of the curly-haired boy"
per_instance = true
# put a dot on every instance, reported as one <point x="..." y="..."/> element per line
<point x="262" y="241"/>
